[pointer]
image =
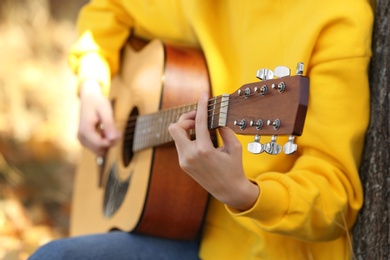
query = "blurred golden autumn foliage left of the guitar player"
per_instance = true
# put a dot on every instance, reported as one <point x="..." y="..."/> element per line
<point x="38" y="122"/>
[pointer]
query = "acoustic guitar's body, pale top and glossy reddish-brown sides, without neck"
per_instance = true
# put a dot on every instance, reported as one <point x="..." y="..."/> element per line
<point x="145" y="191"/>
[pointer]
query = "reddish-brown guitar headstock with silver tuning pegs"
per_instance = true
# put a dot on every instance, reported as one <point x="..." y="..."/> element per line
<point x="274" y="106"/>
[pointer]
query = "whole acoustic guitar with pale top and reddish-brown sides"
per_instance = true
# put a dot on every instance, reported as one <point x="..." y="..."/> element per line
<point x="139" y="185"/>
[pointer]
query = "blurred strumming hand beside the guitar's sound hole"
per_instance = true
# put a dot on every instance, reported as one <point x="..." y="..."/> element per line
<point x="97" y="130"/>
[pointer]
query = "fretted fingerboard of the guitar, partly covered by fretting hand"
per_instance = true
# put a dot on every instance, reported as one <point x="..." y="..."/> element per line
<point x="152" y="130"/>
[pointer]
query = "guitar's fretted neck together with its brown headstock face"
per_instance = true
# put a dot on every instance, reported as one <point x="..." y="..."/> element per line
<point x="273" y="107"/>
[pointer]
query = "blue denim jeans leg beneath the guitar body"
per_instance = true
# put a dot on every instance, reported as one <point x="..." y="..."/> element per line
<point x="117" y="245"/>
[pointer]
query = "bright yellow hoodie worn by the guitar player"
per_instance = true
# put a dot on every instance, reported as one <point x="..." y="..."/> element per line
<point x="310" y="200"/>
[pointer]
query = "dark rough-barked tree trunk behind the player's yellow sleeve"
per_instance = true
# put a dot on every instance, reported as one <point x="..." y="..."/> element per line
<point x="371" y="233"/>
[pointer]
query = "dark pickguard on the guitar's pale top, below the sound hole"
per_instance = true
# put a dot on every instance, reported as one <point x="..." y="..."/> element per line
<point x="115" y="192"/>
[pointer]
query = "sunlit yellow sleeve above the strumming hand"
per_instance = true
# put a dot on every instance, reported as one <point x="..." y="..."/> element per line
<point x="104" y="26"/>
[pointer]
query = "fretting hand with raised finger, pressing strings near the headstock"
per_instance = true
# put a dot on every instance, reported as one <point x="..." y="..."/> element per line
<point x="218" y="170"/>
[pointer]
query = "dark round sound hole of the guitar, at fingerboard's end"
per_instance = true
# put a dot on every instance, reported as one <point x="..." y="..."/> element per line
<point x="127" y="152"/>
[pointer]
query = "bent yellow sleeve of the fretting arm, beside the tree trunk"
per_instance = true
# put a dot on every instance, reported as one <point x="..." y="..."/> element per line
<point x="319" y="197"/>
